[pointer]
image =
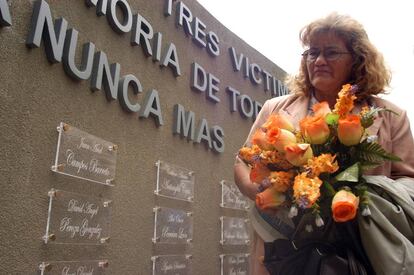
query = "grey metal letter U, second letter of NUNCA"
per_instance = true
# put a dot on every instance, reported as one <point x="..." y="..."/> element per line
<point x="69" y="52"/>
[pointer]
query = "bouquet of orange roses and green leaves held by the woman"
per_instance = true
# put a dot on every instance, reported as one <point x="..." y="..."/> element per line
<point x="318" y="167"/>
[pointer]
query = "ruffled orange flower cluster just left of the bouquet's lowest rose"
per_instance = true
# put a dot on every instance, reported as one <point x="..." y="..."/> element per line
<point x="306" y="191"/>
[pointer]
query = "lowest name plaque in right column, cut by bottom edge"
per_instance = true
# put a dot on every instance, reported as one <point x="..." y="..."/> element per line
<point x="234" y="264"/>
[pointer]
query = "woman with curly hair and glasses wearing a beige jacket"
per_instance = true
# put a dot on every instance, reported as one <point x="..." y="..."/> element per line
<point x="338" y="51"/>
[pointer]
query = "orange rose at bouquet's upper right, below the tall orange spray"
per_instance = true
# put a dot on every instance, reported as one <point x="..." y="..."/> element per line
<point x="350" y="130"/>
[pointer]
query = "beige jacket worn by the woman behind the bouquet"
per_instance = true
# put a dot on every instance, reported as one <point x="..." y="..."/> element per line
<point x="393" y="131"/>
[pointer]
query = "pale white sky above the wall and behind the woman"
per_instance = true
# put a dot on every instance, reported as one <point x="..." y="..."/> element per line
<point x="272" y="27"/>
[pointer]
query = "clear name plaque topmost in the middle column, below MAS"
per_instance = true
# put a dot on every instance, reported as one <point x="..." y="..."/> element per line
<point x="174" y="182"/>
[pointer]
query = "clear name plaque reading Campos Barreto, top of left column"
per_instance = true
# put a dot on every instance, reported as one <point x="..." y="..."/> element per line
<point x="84" y="156"/>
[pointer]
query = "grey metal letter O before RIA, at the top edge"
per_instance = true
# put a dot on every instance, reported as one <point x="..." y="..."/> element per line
<point x="117" y="26"/>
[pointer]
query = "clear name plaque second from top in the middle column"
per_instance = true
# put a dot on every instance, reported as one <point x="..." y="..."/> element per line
<point x="172" y="226"/>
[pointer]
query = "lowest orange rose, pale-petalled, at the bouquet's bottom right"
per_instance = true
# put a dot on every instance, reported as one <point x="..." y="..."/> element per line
<point x="344" y="206"/>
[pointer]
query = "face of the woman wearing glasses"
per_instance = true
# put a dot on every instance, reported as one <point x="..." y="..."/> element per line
<point x="329" y="63"/>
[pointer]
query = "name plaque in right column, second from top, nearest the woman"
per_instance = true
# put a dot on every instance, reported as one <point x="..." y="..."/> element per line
<point x="234" y="231"/>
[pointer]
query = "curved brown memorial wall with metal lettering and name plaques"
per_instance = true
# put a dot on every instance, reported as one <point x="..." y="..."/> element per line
<point x="120" y="121"/>
